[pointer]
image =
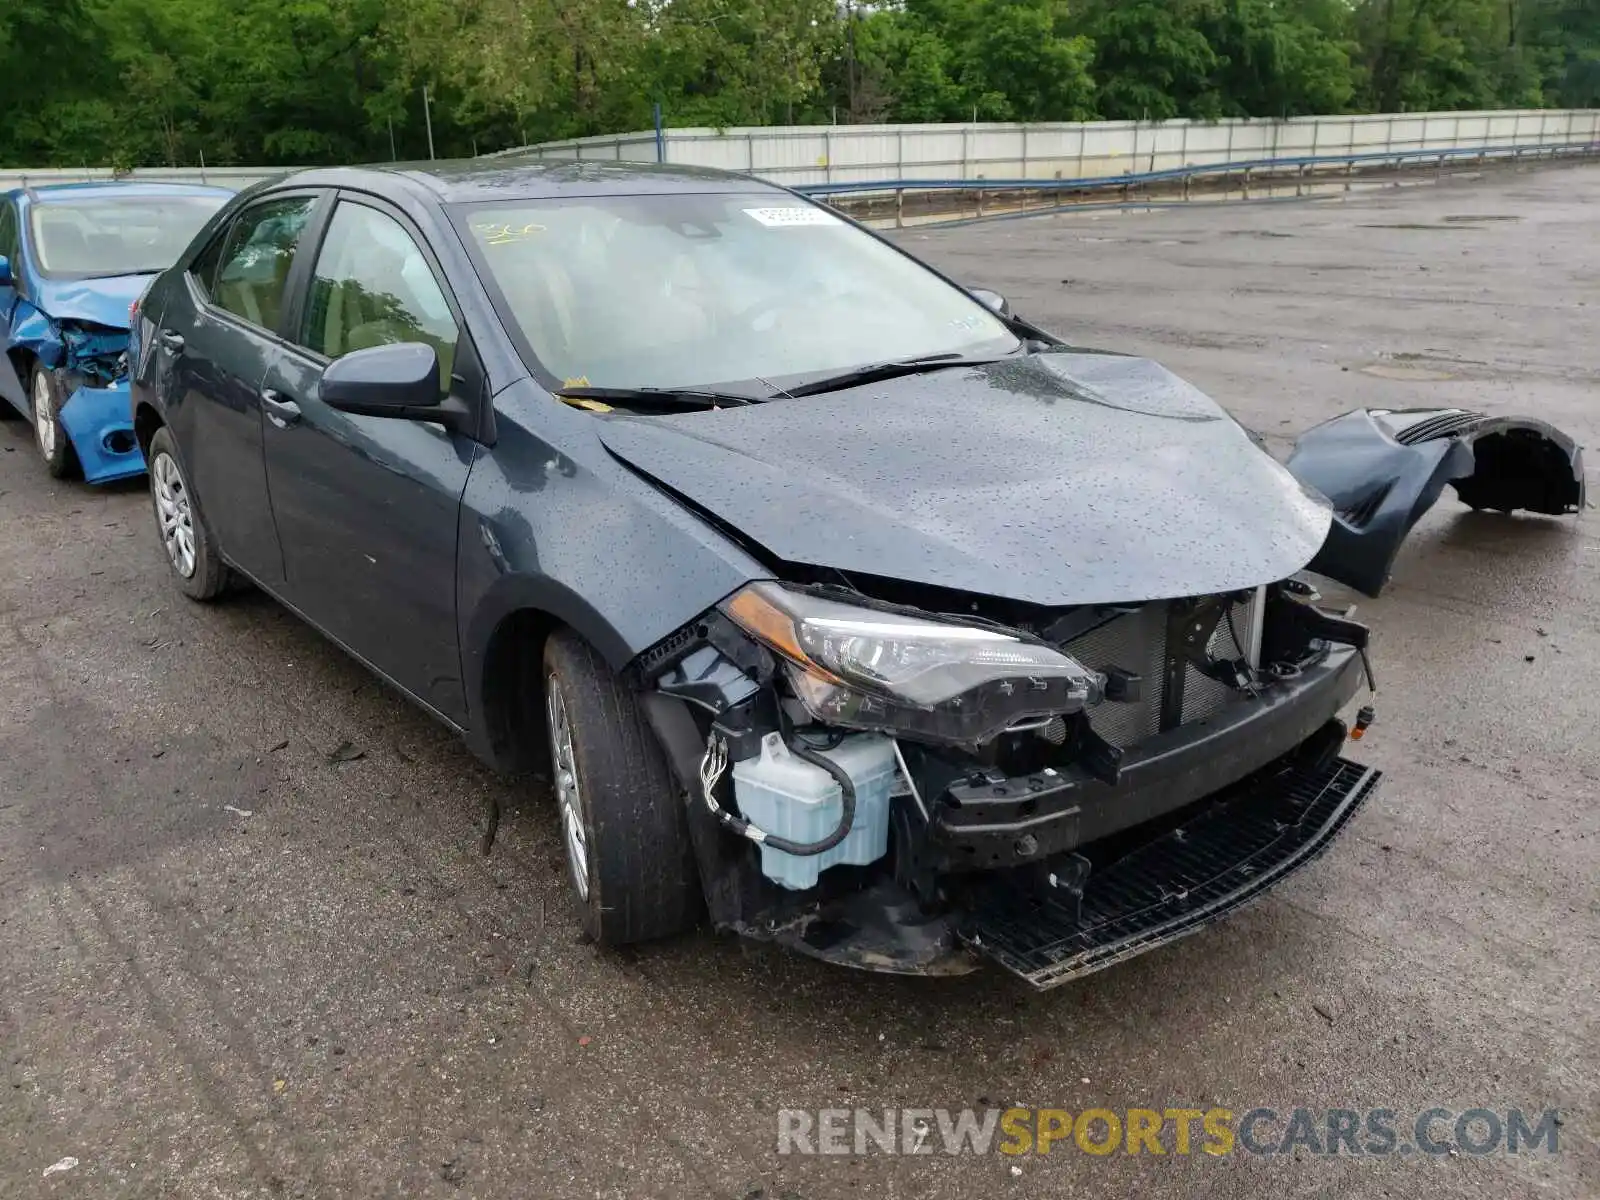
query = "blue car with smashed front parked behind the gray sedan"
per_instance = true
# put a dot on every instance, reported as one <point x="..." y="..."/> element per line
<point x="74" y="258"/>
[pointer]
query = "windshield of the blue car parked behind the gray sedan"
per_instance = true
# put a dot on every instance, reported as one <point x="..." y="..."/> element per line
<point x="118" y="236"/>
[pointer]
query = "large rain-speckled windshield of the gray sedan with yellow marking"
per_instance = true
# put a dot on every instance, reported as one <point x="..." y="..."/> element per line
<point x="681" y="290"/>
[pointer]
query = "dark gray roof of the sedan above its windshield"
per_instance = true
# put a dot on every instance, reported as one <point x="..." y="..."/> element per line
<point x="514" y="178"/>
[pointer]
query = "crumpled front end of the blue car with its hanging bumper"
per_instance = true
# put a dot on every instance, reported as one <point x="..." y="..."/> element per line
<point x="90" y="366"/>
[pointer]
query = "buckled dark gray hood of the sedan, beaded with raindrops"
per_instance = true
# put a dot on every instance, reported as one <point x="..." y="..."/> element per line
<point x="1052" y="479"/>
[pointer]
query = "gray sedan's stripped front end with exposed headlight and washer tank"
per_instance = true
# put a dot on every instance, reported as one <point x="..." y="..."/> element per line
<point x="906" y="790"/>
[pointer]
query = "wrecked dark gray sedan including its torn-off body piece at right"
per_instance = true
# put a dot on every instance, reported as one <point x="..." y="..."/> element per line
<point x="839" y="604"/>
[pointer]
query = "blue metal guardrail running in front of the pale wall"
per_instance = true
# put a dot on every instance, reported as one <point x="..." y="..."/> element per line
<point x="1302" y="169"/>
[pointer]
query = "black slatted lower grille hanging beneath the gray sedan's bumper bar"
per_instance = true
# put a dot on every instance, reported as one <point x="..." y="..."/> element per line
<point x="1257" y="836"/>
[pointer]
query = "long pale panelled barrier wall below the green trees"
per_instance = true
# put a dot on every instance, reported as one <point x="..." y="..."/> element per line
<point x="825" y="154"/>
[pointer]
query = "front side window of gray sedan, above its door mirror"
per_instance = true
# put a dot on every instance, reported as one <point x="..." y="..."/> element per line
<point x="374" y="287"/>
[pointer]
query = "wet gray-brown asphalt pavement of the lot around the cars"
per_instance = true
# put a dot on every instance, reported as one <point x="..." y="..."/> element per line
<point x="249" y="946"/>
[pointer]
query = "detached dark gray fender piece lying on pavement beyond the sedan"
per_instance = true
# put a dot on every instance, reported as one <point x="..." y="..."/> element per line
<point x="1385" y="470"/>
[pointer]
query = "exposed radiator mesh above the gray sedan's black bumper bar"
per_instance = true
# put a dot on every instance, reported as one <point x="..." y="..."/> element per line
<point x="1138" y="642"/>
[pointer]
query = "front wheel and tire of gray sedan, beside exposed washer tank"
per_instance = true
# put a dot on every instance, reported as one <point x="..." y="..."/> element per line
<point x="625" y="823"/>
